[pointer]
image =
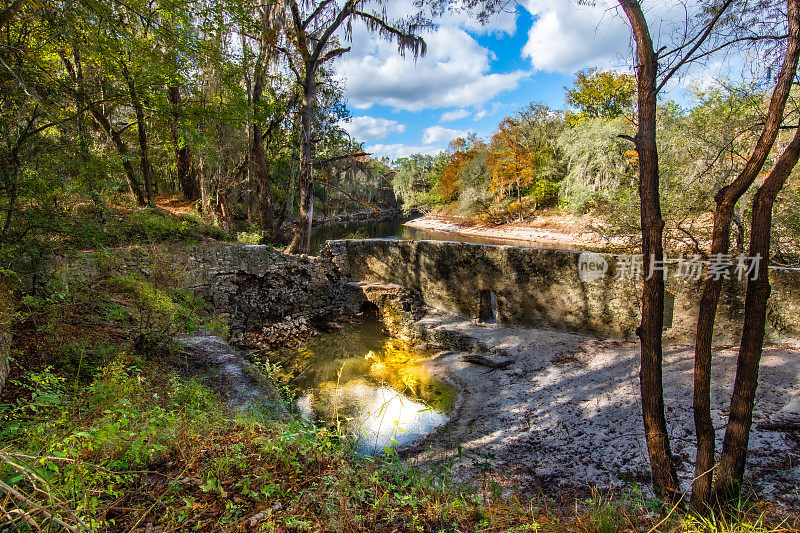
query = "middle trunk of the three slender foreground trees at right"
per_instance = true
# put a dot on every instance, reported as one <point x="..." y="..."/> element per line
<point x="726" y="200"/>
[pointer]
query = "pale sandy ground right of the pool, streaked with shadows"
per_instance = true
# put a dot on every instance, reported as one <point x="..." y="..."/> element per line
<point x="565" y="413"/>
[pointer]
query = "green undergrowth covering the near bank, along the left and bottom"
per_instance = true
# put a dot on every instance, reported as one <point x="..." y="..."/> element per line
<point x="104" y="428"/>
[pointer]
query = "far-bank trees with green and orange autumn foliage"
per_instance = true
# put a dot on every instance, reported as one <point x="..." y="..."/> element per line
<point x="584" y="161"/>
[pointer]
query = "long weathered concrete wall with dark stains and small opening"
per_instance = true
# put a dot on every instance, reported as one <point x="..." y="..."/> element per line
<point x="541" y="288"/>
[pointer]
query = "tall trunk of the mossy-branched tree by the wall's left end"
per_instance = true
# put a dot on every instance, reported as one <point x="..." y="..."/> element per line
<point x="301" y="243"/>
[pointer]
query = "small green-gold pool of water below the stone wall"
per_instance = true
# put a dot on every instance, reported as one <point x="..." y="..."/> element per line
<point x="359" y="379"/>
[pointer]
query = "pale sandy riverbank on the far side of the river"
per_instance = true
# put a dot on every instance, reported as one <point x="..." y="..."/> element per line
<point x="552" y="231"/>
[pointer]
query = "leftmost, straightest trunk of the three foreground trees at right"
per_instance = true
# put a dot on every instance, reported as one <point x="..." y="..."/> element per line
<point x="665" y="479"/>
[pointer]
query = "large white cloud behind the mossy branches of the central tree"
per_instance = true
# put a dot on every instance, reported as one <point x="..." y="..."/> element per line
<point x="456" y="72"/>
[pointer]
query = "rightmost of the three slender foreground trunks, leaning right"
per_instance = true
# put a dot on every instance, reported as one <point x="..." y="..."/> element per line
<point x="734" y="448"/>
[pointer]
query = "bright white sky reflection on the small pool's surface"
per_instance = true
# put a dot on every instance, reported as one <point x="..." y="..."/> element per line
<point x="376" y="414"/>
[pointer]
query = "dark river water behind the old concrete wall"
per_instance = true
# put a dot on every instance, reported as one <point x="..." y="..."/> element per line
<point x="394" y="228"/>
